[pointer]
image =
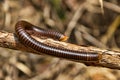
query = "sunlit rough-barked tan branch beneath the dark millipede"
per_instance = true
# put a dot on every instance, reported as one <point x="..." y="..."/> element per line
<point x="110" y="59"/>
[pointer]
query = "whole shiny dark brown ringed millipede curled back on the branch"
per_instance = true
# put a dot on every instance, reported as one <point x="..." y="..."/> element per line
<point x="21" y="29"/>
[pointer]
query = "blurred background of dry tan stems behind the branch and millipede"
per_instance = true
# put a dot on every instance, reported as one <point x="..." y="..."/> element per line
<point x="86" y="22"/>
